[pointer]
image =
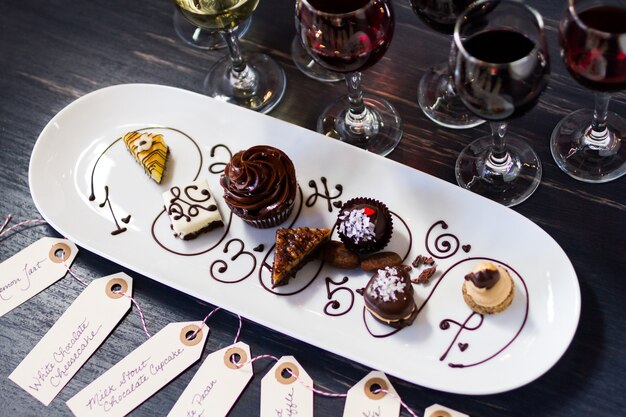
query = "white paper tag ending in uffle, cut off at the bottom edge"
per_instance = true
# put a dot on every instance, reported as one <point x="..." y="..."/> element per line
<point x="286" y="390"/>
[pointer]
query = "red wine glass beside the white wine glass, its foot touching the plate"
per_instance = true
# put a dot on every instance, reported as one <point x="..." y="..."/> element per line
<point x="347" y="37"/>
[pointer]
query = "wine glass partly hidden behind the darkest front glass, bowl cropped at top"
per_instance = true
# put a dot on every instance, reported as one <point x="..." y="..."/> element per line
<point x="436" y="95"/>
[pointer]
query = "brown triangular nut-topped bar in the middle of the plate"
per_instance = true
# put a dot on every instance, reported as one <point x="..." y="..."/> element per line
<point x="294" y="248"/>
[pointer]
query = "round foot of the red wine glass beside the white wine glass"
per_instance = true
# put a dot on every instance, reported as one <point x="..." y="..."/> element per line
<point x="332" y="124"/>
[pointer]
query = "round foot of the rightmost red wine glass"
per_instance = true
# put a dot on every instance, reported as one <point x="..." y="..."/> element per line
<point x="585" y="161"/>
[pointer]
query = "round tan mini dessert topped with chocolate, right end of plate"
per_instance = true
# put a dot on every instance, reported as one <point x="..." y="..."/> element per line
<point x="488" y="289"/>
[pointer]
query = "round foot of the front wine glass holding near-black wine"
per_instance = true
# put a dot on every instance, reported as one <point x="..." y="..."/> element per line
<point x="509" y="187"/>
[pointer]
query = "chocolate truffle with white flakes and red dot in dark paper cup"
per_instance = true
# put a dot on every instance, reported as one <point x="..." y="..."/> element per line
<point x="364" y="225"/>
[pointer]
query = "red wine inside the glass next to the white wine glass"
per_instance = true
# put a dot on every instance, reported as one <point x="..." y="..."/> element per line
<point x="355" y="43"/>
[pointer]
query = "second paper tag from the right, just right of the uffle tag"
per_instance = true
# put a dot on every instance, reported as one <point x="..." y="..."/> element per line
<point x="367" y="399"/>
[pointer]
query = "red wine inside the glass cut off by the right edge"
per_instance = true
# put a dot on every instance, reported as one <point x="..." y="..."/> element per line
<point x="601" y="67"/>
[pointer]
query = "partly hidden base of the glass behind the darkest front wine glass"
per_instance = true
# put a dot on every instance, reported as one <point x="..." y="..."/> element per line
<point x="439" y="102"/>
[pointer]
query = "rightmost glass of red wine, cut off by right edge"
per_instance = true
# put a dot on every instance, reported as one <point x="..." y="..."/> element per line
<point x="590" y="145"/>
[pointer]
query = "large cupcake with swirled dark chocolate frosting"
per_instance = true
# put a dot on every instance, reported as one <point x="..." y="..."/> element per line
<point x="260" y="186"/>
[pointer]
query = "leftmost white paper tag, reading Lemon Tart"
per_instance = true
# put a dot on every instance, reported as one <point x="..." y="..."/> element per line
<point x="32" y="270"/>
